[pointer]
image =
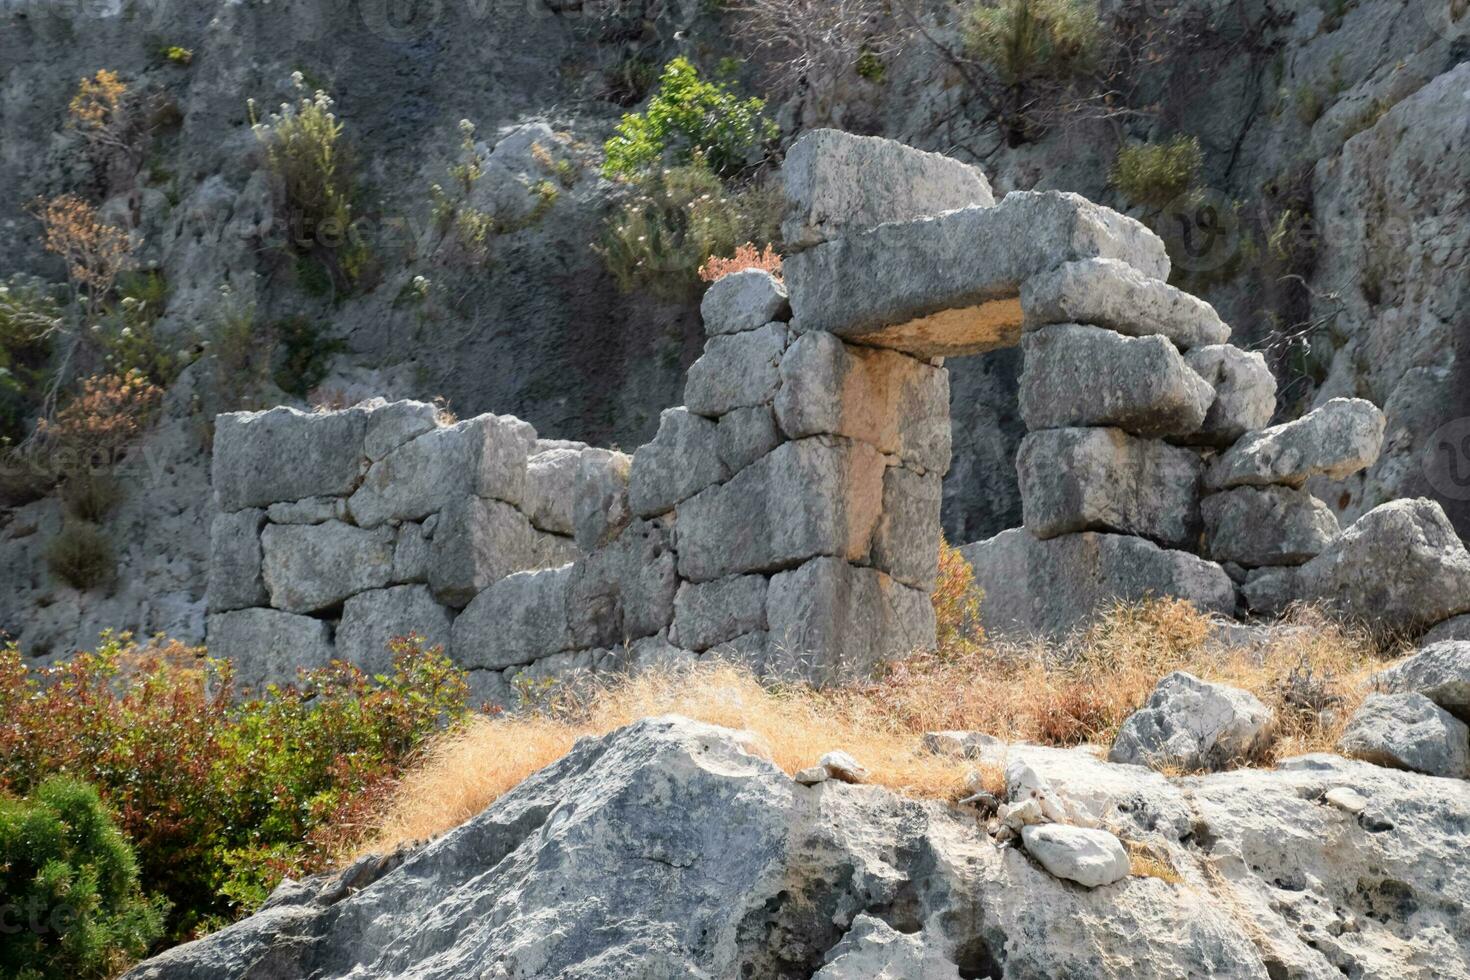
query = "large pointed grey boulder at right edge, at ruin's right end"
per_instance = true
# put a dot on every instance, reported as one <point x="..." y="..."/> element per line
<point x="1400" y="568"/>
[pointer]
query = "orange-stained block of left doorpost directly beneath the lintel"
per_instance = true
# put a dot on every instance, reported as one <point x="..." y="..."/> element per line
<point x="889" y="400"/>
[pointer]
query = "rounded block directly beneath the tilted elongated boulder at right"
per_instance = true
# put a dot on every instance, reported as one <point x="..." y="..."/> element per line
<point x="1266" y="525"/>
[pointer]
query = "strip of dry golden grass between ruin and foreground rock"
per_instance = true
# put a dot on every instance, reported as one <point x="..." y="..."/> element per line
<point x="1066" y="694"/>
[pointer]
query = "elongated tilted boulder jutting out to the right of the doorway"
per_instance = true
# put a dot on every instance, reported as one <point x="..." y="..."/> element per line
<point x="1337" y="440"/>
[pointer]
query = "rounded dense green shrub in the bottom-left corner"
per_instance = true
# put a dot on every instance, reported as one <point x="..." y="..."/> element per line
<point x="70" y="888"/>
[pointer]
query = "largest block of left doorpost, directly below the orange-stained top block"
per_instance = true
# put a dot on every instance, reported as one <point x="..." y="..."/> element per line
<point x="806" y="499"/>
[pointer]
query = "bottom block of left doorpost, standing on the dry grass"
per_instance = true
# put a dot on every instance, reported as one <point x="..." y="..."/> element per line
<point x="833" y="622"/>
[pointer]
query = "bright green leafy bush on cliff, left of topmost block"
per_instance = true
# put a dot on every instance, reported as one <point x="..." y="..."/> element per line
<point x="690" y="118"/>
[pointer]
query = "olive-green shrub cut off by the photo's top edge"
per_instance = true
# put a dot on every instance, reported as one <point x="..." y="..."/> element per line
<point x="1028" y="40"/>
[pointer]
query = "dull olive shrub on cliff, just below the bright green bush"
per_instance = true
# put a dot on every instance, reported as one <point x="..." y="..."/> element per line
<point x="677" y="220"/>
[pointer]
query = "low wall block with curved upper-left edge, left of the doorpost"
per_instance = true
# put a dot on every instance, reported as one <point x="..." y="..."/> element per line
<point x="517" y="621"/>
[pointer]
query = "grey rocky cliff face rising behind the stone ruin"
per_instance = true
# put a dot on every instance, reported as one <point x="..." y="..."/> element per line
<point x="1341" y="129"/>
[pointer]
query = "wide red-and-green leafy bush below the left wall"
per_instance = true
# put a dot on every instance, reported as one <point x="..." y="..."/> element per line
<point x="221" y="794"/>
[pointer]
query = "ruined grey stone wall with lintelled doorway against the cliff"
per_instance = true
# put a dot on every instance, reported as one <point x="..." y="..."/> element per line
<point x="787" y="516"/>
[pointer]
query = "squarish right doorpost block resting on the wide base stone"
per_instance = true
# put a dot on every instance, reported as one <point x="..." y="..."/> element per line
<point x="1105" y="480"/>
